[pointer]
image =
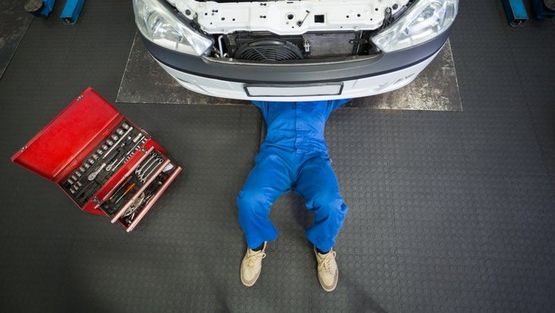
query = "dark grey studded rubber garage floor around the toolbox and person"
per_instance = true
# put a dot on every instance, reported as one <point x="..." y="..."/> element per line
<point x="450" y="211"/>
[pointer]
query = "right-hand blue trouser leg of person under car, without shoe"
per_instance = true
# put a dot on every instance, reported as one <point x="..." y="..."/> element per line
<point x="318" y="185"/>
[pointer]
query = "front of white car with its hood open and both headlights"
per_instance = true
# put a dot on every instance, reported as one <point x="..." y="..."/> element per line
<point x="286" y="50"/>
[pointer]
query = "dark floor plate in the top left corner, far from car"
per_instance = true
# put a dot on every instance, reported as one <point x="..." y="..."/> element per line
<point x="14" y="22"/>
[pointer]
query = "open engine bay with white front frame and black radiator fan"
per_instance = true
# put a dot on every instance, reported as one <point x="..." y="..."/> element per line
<point x="289" y="31"/>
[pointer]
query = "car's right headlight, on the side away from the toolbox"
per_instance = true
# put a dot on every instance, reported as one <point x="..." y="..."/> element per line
<point x="425" y="20"/>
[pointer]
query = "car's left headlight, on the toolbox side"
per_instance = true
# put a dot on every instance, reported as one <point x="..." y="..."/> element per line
<point x="160" y="25"/>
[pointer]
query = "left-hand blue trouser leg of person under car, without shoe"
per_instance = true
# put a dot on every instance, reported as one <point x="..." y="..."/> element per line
<point x="269" y="178"/>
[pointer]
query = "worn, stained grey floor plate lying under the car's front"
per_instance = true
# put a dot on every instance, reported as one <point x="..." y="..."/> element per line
<point x="436" y="88"/>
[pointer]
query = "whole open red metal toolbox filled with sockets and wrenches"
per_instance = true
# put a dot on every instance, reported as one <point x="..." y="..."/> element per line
<point x="101" y="160"/>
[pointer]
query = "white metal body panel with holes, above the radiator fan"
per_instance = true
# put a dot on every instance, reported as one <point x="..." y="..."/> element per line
<point x="288" y="17"/>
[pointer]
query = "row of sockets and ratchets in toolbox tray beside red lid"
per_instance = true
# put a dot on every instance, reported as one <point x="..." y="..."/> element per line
<point x="100" y="165"/>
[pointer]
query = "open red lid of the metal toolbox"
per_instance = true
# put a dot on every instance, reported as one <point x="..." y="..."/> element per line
<point x="69" y="137"/>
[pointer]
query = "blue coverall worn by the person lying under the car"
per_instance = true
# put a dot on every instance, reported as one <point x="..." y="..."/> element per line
<point x="294" y="155"/>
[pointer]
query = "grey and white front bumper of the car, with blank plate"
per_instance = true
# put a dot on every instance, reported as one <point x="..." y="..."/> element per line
<point x="349" y="78"/>
